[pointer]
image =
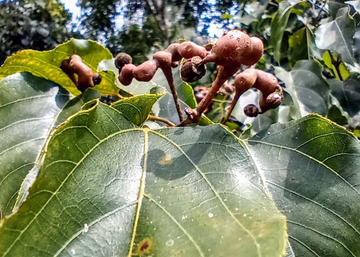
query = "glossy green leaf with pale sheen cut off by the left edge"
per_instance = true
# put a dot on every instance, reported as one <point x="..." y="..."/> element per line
<point x="28" y="108"/>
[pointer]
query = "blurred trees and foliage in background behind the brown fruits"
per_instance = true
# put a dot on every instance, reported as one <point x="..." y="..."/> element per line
<point x="313" y="47"/>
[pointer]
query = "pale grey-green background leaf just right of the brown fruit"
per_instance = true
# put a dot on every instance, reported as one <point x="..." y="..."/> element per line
<point x="307" y="88"/>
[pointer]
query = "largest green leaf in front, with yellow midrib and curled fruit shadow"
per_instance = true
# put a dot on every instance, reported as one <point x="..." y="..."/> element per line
<point x="106" y="188"/>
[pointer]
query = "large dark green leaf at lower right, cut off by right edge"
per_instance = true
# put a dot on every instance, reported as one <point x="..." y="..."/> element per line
<point x="314" y="179"/>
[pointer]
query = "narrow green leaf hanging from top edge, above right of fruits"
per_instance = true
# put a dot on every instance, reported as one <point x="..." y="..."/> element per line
<point x="278" y="25"/>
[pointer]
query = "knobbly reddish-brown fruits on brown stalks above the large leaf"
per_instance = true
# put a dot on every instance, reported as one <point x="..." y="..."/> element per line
<point x="234" y="49"/>
